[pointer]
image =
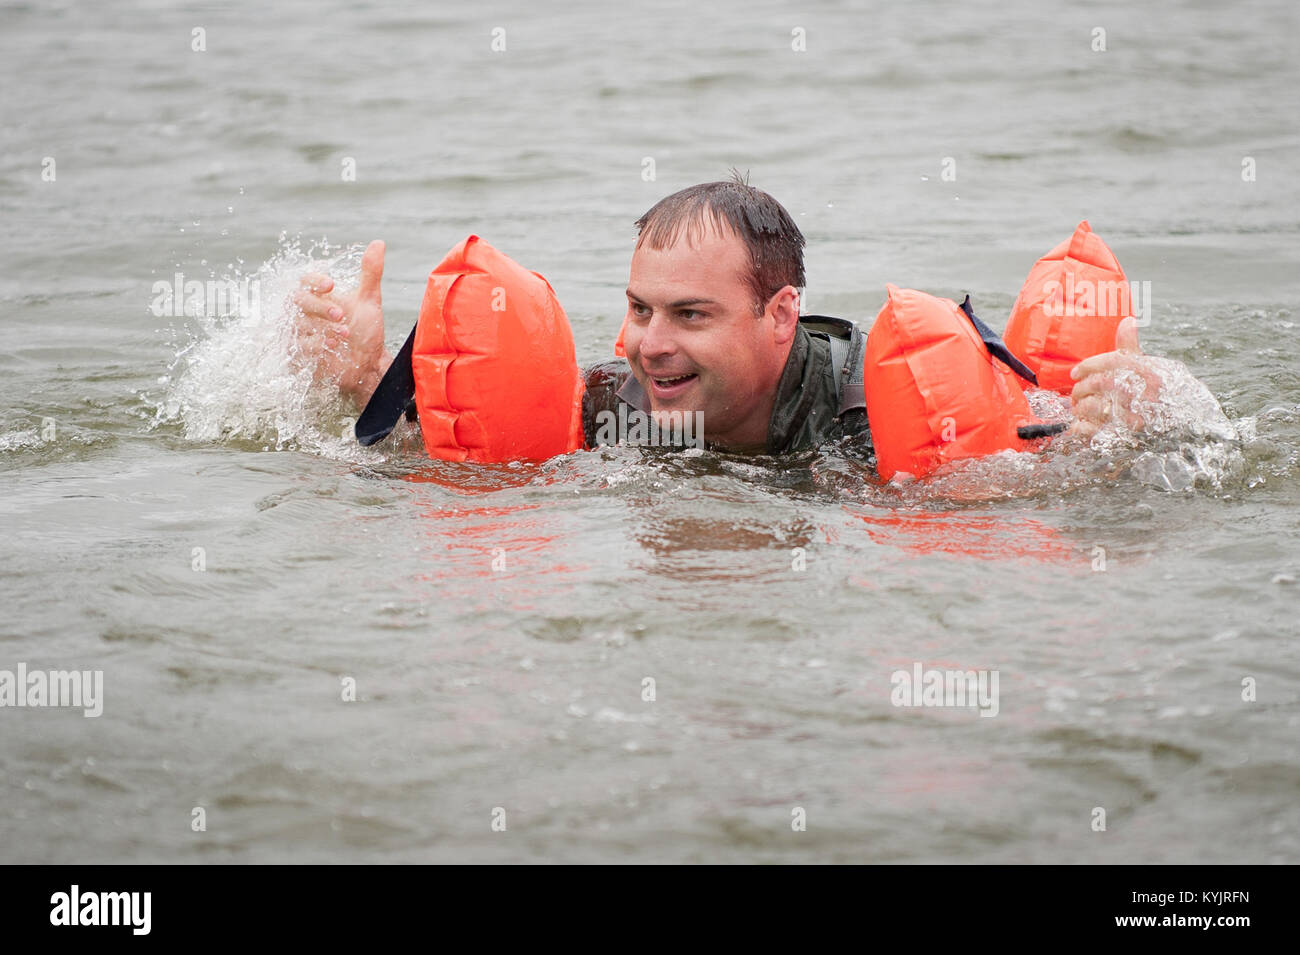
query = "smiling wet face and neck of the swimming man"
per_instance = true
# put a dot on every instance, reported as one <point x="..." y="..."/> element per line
<point x="695" y="342"/>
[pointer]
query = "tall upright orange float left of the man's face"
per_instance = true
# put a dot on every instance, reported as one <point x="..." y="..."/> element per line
<point x="496" y="372"/>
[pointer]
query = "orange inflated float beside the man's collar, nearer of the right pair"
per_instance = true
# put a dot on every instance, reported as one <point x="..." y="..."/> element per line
<point x="934" y="392"/>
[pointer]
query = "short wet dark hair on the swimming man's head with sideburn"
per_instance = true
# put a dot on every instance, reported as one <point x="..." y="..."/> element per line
<point x="774" y="242"/>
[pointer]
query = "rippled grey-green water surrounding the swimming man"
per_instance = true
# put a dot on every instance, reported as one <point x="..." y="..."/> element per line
<point x="181" y="511"/>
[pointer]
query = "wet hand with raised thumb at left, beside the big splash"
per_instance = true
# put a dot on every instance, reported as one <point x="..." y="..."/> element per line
<point x="341" y="336"/>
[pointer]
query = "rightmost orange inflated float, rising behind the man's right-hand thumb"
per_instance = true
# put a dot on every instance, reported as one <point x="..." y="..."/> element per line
<point x="1069" y="309"/>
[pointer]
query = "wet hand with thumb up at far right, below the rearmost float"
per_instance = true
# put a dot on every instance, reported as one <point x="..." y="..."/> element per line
<point x="1111" y="384"/>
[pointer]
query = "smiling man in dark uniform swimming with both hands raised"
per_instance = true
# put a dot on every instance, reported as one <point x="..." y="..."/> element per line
<point x="712" y="327"/>
